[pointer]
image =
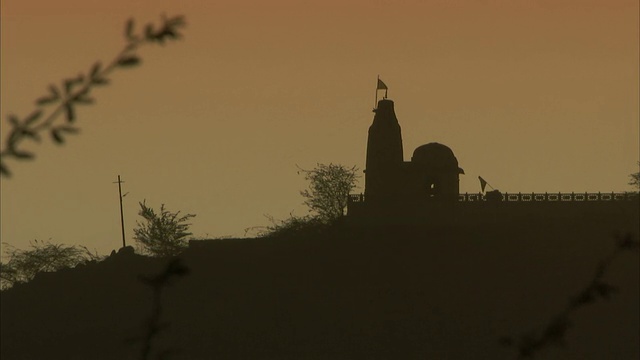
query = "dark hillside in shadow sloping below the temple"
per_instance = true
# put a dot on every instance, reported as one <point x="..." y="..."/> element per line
<point x="429" y="291"/>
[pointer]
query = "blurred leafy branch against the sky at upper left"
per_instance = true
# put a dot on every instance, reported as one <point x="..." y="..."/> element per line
<point x="76" y="91"/>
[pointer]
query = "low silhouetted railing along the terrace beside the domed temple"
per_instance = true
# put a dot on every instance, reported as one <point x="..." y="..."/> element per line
<point x="533" y="197"/>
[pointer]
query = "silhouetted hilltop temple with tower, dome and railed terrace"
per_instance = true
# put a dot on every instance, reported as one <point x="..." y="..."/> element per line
<point x="427" y="187"/>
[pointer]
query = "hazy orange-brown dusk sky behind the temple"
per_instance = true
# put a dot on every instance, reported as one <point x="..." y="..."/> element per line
<point x="536" y="95"/>
